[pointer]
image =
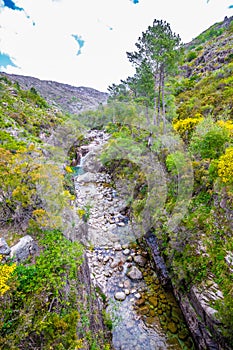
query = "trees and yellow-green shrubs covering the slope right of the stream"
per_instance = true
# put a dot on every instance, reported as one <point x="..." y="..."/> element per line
<point x="193" y="227"/>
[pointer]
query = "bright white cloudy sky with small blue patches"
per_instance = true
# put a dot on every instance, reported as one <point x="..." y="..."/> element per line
<point x="84" y="42"/>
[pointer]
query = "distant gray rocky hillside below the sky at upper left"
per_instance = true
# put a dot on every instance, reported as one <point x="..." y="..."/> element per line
<point x="68" y="98"/>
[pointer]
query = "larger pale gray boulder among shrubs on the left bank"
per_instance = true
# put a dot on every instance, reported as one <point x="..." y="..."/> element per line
<point x="23" y="249"/>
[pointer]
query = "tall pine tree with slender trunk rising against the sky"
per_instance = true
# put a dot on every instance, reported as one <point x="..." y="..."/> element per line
<point x="158" y="49"/>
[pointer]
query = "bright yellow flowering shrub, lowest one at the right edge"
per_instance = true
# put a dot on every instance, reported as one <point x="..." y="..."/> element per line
<point x="225" y="166"/>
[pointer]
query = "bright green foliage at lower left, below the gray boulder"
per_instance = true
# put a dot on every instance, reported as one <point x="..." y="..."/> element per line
<point x="44" y="291"/>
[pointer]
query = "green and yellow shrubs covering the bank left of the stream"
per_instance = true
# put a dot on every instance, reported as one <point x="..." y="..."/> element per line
<point x="41" y="298"/>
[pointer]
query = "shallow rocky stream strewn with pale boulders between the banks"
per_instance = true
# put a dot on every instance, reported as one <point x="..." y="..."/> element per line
<point x="143" y="314"/>
